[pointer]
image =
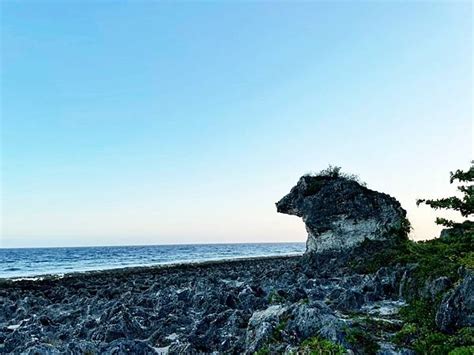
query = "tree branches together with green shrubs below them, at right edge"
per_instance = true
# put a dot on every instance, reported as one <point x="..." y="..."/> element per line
<point x="434" y="258"/>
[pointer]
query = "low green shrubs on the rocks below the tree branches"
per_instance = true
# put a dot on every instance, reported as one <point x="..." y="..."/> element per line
<point x="434" y="258"/>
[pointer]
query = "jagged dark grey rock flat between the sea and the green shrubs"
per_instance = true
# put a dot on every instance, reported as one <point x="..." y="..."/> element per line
<point x="226" y="306"/>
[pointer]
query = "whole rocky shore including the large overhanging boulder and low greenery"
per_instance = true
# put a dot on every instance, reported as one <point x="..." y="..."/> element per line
<point x="362" y="287"/>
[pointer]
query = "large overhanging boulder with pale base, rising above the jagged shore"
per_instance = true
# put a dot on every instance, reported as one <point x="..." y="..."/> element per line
<point x="340" y="213"/>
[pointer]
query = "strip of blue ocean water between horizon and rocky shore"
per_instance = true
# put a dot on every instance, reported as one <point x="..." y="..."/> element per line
<point x="30" y="262"/>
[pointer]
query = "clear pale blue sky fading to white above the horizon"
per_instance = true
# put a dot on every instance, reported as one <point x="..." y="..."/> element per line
<point x="184" y="122"/>
